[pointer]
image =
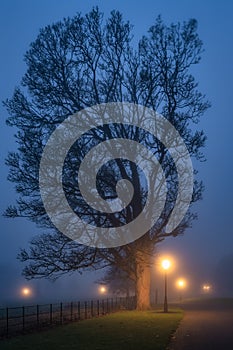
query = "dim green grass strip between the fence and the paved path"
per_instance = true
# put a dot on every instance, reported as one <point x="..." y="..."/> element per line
<point x="123" y="330"/>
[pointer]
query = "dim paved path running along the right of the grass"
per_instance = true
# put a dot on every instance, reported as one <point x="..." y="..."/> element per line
<point x="207" y="325"/>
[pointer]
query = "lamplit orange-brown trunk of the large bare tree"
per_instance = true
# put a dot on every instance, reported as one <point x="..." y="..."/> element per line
<point x="143" y="281"/>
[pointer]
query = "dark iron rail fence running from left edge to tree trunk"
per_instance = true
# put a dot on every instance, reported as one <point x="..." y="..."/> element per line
<point x="15" y="320"/>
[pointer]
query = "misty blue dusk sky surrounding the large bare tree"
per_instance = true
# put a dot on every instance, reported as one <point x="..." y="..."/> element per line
<point x="211" y="237"/>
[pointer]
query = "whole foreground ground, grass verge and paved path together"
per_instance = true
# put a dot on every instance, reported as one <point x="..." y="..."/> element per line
<point x="207" y="324"/>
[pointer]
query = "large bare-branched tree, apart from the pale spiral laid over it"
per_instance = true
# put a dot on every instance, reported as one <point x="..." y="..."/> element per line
<point x="80" y="62"/>
